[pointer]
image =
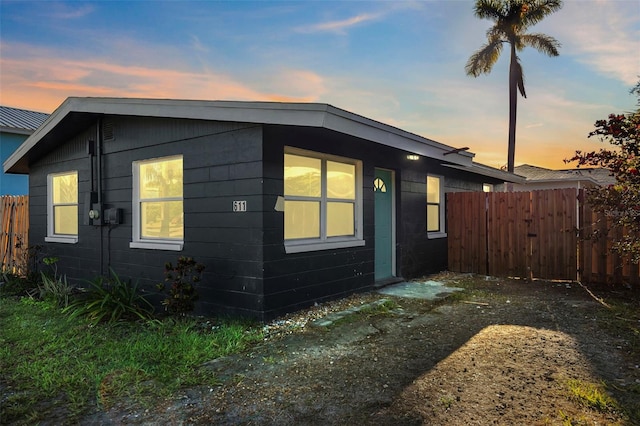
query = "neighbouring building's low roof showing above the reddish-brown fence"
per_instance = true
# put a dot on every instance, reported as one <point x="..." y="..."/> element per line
<point x="541" y="178"/>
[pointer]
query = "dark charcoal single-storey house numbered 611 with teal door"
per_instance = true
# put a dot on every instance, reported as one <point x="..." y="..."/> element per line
<point x="286" y="204"/>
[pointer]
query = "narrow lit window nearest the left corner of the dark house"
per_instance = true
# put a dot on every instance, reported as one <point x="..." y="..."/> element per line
<point x="62" y="207"/>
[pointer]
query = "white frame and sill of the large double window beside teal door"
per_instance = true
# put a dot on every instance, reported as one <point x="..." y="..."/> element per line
<point x="329" y="243"/>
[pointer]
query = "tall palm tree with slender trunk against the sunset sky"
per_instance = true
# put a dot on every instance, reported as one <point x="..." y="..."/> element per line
<point x="511" y="20"/>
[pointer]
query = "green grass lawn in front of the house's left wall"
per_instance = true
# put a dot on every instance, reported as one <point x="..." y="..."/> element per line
<point x="49" y="362"/>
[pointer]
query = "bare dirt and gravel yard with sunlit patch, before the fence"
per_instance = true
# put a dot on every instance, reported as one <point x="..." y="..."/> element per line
<point x="503" y="352"/>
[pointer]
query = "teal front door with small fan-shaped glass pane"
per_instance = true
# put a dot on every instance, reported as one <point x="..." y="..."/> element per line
<point x="384" y="217"/>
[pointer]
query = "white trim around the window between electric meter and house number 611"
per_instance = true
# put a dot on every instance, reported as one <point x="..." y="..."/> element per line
<point x="147" y="243"/>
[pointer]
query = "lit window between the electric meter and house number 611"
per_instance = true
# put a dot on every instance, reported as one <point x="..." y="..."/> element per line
<point x="158" y="204"/>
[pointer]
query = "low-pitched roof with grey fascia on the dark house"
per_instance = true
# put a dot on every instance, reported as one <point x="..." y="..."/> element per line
<point x="76" y="112"/>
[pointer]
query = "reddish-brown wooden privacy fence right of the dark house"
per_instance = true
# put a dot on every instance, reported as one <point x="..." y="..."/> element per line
<point x="531" y="235"/>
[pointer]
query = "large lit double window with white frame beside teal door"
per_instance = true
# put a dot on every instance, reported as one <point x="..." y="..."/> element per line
<point x="322" y="207"/>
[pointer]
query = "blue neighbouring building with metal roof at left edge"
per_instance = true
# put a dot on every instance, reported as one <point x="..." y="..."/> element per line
<point x="15" y="126"/>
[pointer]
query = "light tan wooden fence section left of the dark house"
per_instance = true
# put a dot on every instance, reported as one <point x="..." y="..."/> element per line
<point x="14" y="217"/>
